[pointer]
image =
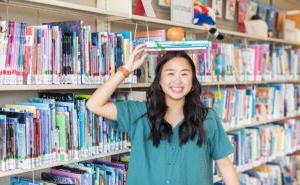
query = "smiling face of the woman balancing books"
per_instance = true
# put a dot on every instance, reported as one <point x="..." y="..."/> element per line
<point x="176" y="79"/>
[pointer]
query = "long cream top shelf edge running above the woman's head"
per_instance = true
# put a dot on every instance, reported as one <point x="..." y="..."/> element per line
<point x="128" y="16"/>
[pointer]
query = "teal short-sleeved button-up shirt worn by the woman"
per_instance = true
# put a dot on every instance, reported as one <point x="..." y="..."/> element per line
<point x="170" y="164"/>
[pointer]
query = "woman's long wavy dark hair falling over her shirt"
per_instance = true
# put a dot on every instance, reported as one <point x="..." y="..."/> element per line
<point x="194" y="110"/>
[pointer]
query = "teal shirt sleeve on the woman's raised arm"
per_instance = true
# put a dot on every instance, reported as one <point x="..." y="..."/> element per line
<point x="128" y="112"/>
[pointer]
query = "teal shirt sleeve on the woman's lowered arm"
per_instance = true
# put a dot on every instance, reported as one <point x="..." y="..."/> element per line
<point x="219" y="143"/>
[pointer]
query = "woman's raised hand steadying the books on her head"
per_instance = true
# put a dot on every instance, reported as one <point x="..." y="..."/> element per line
<point x="136" y="58"/>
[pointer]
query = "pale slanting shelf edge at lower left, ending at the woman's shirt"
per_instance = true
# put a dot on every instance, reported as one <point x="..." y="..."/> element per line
<point x="53" y="164"/>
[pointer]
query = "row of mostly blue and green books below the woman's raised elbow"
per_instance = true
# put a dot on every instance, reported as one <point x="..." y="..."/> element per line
<point x="54" y="127"/>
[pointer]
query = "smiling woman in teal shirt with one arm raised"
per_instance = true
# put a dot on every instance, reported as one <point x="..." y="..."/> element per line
<point x="174" y="136"/>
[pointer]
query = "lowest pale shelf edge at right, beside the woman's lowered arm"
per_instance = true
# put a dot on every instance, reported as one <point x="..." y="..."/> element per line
<point x="261" y="161"/>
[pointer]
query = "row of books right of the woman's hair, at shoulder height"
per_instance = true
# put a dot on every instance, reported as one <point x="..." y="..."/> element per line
<point x="242" y="105"/>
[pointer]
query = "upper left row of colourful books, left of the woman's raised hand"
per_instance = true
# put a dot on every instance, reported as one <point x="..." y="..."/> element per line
<point x="60" y="53"/>
